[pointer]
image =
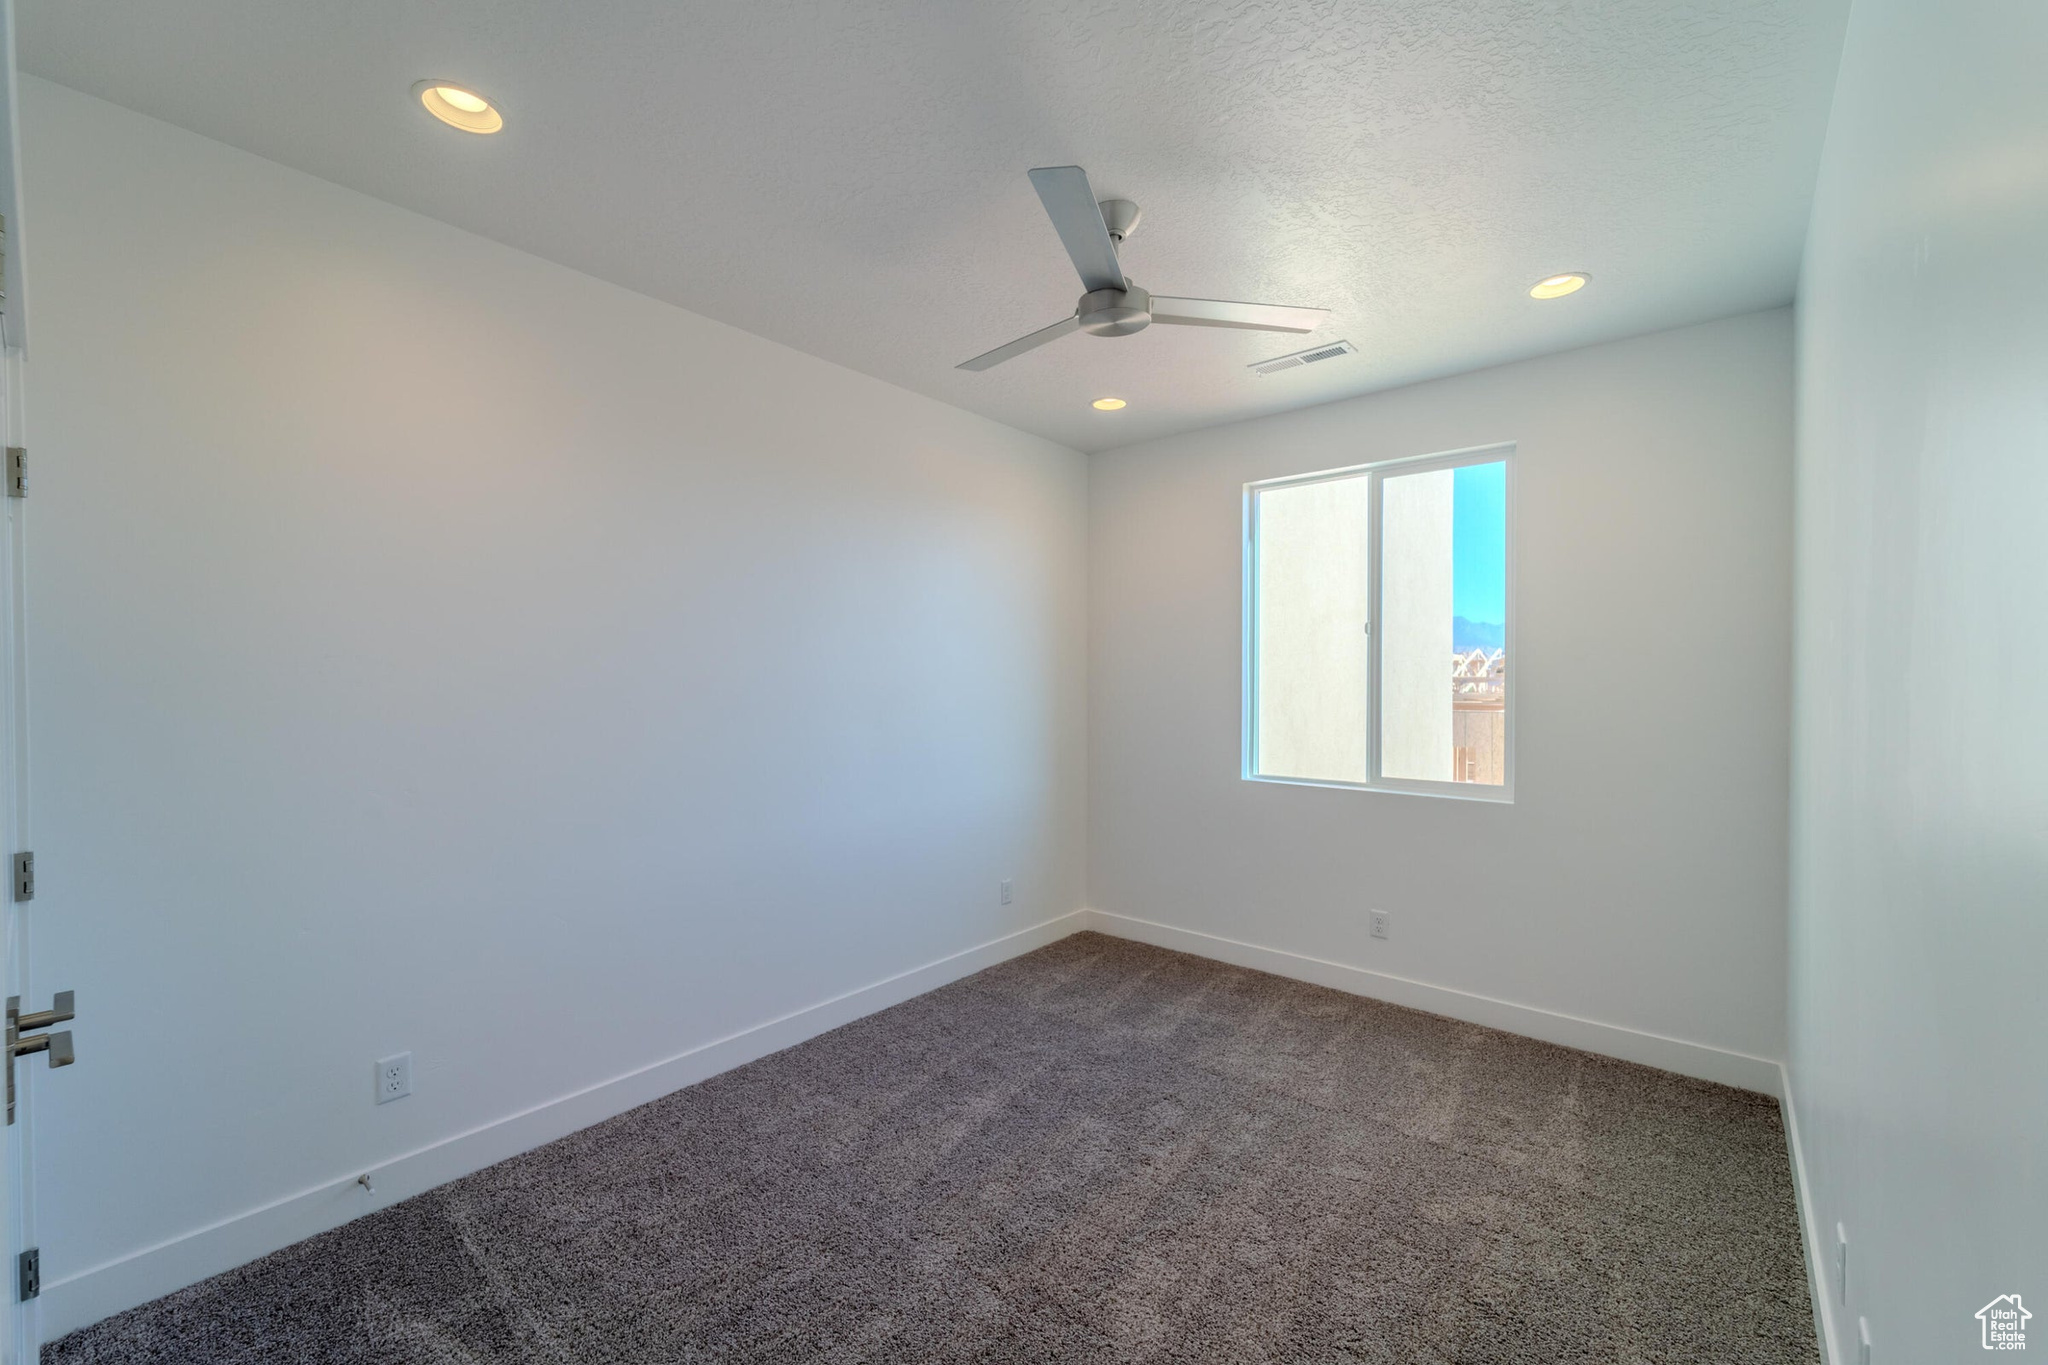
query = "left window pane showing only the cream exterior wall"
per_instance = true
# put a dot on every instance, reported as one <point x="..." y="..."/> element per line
<point x="1310" y="615"/>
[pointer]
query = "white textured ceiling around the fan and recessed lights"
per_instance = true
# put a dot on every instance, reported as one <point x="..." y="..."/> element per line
<point x="849" y="179"/>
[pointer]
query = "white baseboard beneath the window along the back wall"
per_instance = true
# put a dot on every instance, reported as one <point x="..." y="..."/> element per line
<point x="1689" y="1059"/>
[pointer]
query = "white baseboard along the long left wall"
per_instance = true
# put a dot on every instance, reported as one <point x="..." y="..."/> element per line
<point x="103" y="1290"/>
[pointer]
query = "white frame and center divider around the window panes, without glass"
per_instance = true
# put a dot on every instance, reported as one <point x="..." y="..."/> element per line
<point x="1379" y="472"/>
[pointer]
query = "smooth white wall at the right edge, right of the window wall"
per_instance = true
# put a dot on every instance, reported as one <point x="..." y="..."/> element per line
<point x="1920" y="893"/>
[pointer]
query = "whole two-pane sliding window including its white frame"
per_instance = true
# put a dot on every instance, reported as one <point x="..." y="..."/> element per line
<point x="1379" y="627"/>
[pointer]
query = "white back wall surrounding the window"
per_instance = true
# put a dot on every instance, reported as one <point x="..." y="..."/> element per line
<point x="1639" y="879"/>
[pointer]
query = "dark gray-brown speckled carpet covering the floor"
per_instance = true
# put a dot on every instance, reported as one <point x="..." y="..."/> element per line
<point x="1093" y="1153"/>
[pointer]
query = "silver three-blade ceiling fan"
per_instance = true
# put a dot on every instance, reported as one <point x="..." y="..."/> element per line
<point x="1113" y="306"/>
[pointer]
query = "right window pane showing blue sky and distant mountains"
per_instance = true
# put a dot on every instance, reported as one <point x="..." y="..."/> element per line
<point x="1445" y="625"/>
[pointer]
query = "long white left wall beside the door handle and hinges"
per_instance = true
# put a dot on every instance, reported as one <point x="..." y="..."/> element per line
<point x="439" y="650"/>
